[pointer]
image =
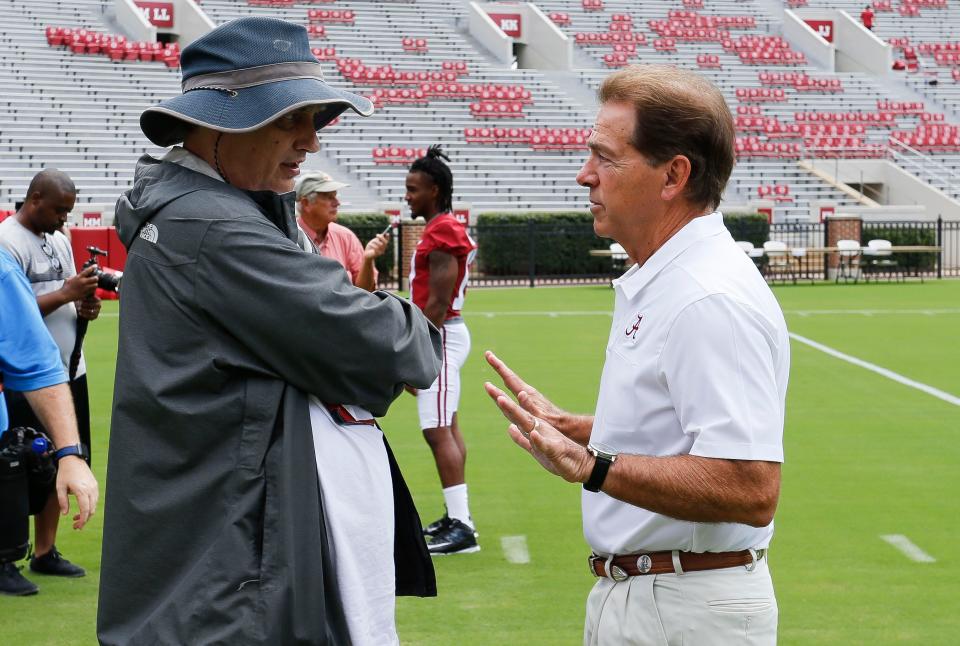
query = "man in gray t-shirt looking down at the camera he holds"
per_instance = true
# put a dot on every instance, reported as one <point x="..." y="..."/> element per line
<point x="34" y="240"/>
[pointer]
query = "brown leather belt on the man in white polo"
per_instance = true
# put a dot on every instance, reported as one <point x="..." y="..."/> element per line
<point x="621" y="566"/>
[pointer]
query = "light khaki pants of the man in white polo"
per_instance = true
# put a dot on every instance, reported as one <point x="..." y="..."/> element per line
<point x="721" y="607"/>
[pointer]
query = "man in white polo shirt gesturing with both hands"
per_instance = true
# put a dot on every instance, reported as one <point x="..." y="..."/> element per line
<point x="681" y="463"/>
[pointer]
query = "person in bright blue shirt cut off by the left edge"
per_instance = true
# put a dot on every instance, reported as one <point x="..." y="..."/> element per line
<point x="29" y="362"/>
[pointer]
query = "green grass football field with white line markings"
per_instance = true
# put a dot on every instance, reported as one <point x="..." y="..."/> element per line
<point x="866" y="456"/>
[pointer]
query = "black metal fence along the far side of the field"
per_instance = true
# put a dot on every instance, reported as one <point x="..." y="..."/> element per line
<point x="532" y="253"/>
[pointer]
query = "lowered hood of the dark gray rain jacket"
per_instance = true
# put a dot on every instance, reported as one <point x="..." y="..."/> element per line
<point x="156" y="183"/>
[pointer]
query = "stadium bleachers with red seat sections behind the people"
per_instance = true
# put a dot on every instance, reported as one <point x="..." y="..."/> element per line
<point x="515" y="136"/>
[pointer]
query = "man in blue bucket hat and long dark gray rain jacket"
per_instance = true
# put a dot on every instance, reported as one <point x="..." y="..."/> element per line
<point x="217" y="527"/>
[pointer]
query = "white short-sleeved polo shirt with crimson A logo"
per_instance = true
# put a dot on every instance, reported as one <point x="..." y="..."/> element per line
<point x="697" y="363"/>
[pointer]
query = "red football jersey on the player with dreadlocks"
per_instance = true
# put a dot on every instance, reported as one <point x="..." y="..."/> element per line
<point x="443" y="233"/>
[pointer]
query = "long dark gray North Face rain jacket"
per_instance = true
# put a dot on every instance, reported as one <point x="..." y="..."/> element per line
<point x="214" y="530"/>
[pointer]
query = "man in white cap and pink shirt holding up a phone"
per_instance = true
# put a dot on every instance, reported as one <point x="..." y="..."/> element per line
<point x="317" y="205"/>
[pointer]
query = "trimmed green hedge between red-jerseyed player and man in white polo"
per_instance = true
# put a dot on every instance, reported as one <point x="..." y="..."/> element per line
<point x="560" y="244"/>
